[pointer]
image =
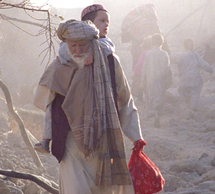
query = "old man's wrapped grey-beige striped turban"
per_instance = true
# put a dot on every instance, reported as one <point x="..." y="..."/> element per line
<point x="77" y="30"/>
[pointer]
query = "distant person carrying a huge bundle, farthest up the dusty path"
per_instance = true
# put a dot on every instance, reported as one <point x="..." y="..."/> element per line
<point x="139" y="23"/>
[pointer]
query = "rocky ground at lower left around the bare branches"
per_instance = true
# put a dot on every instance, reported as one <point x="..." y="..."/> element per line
<point x="15" y="156"/>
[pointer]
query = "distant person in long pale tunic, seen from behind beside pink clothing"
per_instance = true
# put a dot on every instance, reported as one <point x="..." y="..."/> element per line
<point x="155" y="77"/>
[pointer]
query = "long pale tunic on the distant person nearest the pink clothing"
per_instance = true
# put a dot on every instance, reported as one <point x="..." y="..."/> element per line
<point x="155" y="72"/>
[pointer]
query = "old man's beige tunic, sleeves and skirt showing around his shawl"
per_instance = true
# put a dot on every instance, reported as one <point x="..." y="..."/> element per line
<point x="77" y="175"/>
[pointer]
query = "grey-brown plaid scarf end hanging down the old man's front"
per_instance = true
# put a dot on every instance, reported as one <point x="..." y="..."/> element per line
<point x="112" y="167"/>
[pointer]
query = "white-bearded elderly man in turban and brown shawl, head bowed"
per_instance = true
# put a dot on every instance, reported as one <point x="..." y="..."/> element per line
<point x="86" y="118"/>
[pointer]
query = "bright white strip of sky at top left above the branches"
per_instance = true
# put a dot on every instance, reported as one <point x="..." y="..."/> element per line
<point x="64" y="3"/>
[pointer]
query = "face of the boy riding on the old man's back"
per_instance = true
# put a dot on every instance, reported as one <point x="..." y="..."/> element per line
<point x="101" y="21"/>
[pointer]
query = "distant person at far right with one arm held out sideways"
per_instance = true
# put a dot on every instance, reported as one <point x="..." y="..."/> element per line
<point x="189" y="66"/>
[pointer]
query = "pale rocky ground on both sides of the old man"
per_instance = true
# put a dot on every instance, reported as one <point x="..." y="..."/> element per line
<point x="183" y="148"/>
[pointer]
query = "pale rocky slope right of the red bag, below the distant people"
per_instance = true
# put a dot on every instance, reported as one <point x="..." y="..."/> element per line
<point x="184" y="147"/>
